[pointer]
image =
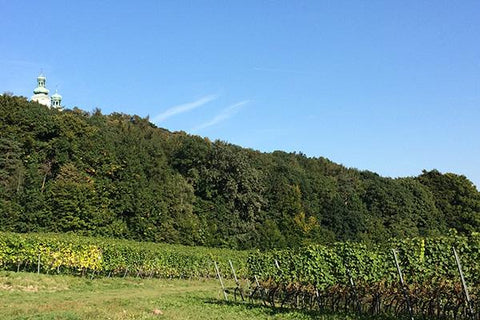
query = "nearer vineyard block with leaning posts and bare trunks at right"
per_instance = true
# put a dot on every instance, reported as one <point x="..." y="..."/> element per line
<point x="350" y="277"/>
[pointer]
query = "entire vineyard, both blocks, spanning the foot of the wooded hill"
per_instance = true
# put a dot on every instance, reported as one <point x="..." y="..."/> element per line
<point x="420" y="278"/>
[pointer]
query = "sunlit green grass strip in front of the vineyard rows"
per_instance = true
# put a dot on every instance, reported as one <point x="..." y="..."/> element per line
<point x="32" y="296"/>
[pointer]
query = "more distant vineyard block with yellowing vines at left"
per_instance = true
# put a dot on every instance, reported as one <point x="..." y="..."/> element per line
<point x="86" y="256"/>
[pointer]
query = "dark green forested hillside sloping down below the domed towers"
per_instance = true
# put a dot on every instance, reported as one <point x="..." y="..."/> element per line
<point x="121" y="176"/>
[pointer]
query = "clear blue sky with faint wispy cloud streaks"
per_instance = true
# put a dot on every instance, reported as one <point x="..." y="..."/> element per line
<point x="387" y="86"/>
